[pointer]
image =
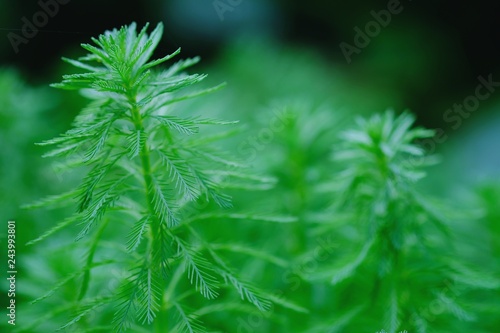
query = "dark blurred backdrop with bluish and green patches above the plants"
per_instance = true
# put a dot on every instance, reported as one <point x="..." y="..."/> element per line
<point x="428" y="57"/>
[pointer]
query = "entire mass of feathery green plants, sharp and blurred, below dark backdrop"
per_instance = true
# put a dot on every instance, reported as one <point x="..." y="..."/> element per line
<point x="371" y="248"/>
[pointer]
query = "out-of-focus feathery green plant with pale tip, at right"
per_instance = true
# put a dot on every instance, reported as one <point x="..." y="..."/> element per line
<point x="404" y="262"/>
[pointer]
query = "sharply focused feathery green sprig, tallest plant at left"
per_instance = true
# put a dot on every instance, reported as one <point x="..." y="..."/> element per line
<point x="145" y="168"/>
